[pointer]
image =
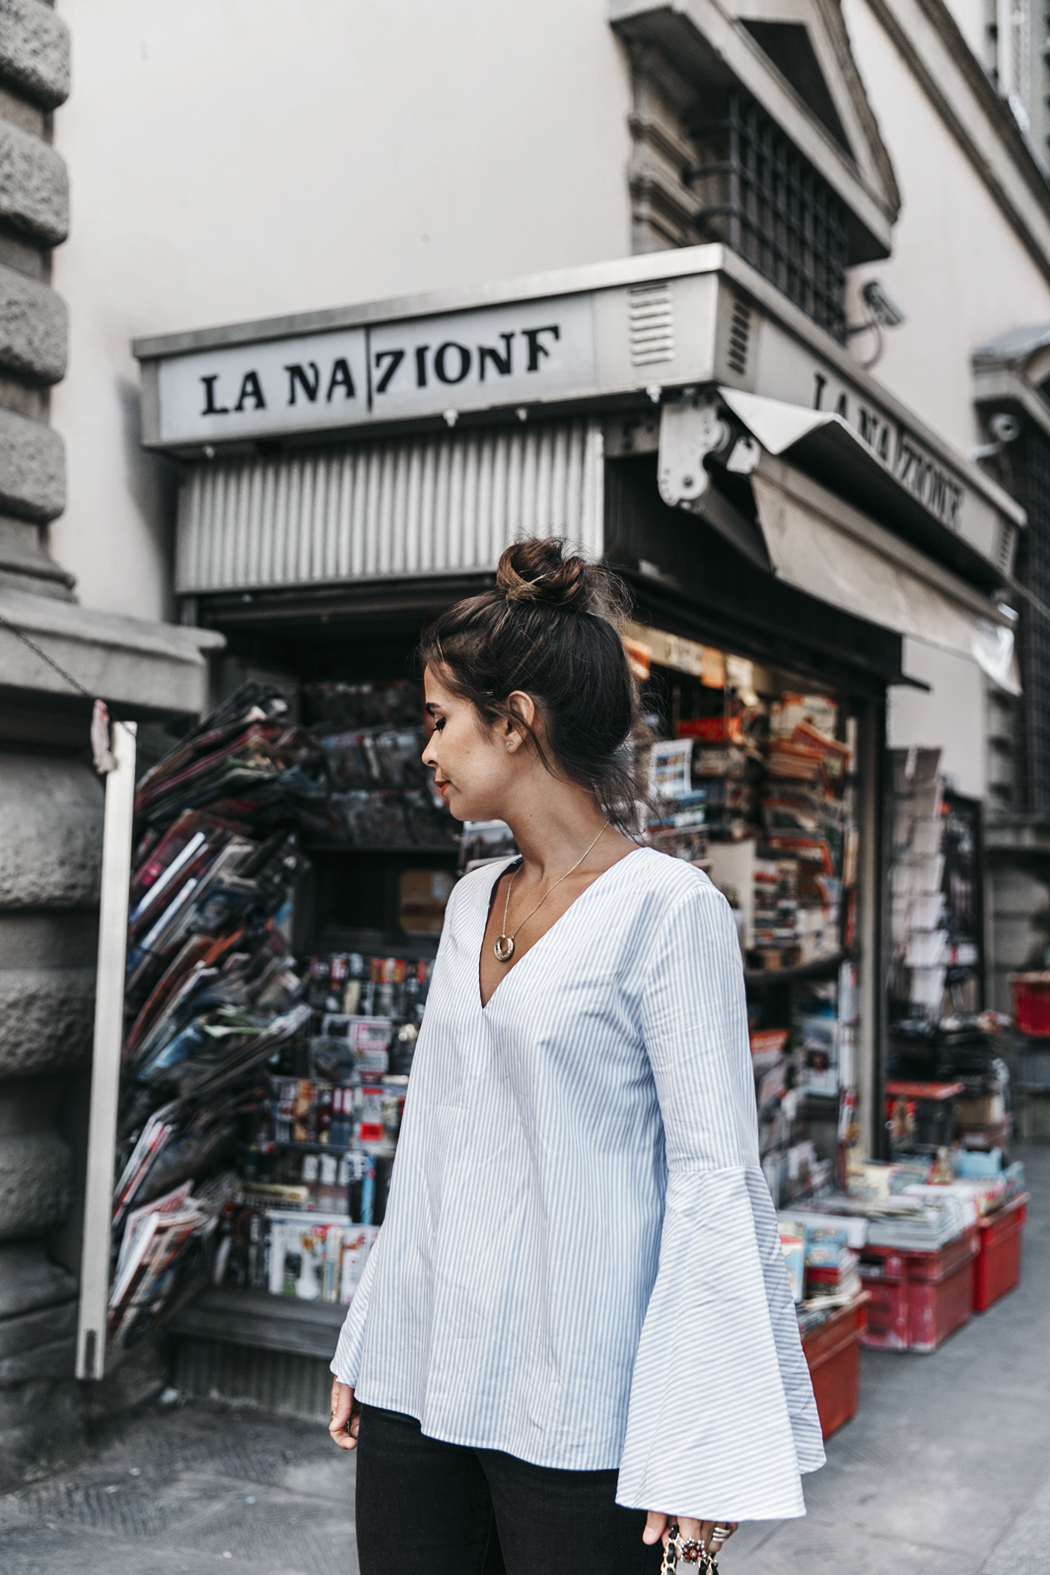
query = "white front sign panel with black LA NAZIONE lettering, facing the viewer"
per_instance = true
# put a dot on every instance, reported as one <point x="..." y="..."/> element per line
<point x="464" y="361"/>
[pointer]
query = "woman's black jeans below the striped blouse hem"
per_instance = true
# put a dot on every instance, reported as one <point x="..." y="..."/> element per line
<point x="453" y="1511"/>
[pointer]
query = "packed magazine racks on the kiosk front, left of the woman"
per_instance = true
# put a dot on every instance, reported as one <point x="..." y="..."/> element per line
<point x="257" y="1086"/>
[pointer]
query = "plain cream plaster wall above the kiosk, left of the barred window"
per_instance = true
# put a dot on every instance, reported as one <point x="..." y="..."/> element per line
<point x="259" y="157"/>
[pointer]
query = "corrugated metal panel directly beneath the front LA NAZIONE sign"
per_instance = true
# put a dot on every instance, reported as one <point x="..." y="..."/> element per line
<point x="402" y="508"/>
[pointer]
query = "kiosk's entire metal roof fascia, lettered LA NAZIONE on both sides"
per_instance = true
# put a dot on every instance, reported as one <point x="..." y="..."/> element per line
<point x="601" y="336"/>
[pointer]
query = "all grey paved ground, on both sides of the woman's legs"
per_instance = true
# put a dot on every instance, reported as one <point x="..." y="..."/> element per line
<point x="944" y="1472"/>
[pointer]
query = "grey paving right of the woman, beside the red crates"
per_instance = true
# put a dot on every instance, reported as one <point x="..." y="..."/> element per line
<point x="947" y="1464"/>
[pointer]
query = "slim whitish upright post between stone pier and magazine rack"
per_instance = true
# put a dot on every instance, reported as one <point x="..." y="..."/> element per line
<point x="109" y="1034"/>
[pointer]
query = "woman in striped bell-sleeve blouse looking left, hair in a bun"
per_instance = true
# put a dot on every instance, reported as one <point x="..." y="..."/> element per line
<point x="575" y="1330"/>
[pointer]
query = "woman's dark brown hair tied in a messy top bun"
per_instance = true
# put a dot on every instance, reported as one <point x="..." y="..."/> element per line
<point x="550" y="629"/>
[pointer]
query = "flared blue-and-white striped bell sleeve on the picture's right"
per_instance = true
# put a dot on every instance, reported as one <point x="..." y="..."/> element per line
<point x="722" y="1417"/>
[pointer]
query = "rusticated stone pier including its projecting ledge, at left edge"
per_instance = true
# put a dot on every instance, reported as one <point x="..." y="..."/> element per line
<point x="51" y="820"/>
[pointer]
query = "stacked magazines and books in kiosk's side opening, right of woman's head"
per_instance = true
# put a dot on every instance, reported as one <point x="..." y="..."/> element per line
<point x="755" y="784"/>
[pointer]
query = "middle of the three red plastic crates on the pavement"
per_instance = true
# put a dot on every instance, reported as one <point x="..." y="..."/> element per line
<point x="917" y="1299"/>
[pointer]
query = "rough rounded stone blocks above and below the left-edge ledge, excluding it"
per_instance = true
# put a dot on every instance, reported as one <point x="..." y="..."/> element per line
<point x="50" y="796"/>
